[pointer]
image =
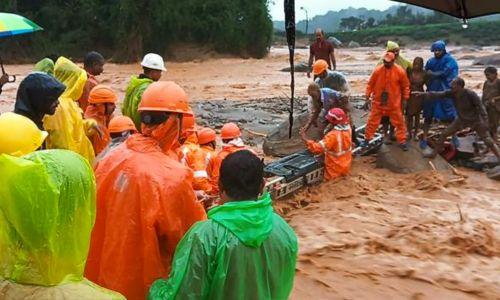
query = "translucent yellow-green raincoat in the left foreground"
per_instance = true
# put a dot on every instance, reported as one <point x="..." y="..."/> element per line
<point x="47" y="211"/>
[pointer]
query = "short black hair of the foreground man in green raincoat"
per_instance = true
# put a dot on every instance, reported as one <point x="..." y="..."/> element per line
<point x="241" y="175"/>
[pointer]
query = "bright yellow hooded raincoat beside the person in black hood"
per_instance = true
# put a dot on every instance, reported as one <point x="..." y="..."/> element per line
<point x="67" y="129"/>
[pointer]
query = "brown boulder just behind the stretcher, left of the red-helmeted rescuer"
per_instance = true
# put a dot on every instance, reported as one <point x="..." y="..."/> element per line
<point x="277" y="142"/>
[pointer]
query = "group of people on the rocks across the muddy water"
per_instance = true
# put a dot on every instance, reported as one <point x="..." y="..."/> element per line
<point x="396" y="96"/>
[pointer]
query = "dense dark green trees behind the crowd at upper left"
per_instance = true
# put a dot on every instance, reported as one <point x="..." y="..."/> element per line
<point x="126" y="29"/>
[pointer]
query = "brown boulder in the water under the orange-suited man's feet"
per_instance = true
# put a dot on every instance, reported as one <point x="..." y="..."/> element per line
<point x="393" y="158"/>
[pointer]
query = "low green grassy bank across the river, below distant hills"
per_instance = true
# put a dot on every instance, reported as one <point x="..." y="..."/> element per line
<point x="478" y="33"/>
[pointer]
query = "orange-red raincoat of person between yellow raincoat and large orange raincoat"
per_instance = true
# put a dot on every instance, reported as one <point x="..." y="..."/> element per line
<point x="96" y="112"/>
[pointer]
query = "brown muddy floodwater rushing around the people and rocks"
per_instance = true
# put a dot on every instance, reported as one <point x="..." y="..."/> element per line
<point x="374" y="234"/>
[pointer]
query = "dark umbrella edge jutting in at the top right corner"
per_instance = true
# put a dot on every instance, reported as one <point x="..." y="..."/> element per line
<point x="463" y="9"/>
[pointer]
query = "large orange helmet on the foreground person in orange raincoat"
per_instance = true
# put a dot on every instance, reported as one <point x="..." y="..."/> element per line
<point x="165" y="96"/>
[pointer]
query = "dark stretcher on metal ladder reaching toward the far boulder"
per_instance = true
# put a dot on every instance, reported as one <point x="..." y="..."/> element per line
<point x="291" y="173"/>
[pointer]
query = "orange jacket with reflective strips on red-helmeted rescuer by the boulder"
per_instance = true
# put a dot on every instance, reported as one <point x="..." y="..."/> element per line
<point x="336" y="145"/>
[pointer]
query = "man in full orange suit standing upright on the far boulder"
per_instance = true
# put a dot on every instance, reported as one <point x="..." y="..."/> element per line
<point x="388" y="87"/>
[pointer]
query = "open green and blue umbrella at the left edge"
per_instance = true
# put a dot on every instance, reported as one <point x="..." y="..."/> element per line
<point x="12" y="24"/>
